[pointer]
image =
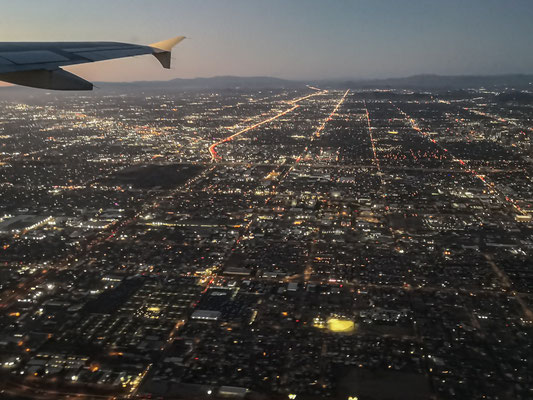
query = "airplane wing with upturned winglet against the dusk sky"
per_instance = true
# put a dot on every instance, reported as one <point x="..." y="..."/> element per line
<point x="37" y="64"/>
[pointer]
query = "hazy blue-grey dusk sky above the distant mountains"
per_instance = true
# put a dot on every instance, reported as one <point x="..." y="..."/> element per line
<point x="297" y="39"/>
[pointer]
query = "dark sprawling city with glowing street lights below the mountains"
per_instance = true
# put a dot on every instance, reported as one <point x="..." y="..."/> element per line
<point x="302" y="243"/>
